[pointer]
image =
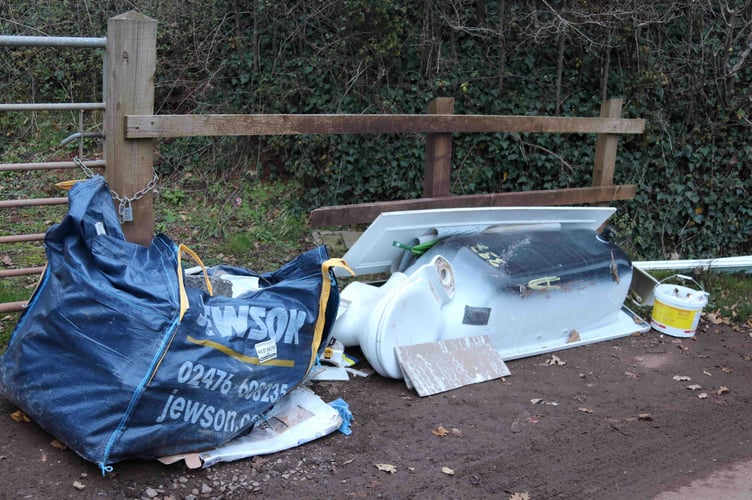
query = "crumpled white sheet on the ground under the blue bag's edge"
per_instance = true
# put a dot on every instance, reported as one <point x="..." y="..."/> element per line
<point x="299" y="417"/>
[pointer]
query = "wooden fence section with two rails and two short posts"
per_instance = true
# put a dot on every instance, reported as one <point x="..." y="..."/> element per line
<point x="438" y="125"/>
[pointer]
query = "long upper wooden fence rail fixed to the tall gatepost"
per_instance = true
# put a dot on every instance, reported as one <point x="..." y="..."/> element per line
<point x="155" y="126"/>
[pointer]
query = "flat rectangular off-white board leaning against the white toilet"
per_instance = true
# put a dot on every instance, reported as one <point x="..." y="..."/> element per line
<point x="435" y="367"/>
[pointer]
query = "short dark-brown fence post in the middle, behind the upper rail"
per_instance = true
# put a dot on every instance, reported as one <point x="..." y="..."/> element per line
<point x="438" y="164"/>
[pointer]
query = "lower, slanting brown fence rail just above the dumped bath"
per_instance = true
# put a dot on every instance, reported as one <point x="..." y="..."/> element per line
<point x="367" y="212"/>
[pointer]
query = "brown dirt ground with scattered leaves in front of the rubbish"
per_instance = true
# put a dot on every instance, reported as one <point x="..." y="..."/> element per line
<point x="611" y="422"/>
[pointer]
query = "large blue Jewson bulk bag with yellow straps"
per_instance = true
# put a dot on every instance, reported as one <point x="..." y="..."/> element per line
<point x="116" y="358"/>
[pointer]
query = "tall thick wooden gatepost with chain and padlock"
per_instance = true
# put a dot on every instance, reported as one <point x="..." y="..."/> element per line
<point x="130" y="67"/>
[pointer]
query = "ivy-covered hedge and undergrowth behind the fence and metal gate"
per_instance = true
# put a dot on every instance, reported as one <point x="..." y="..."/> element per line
<point x="683" y="67"/>
